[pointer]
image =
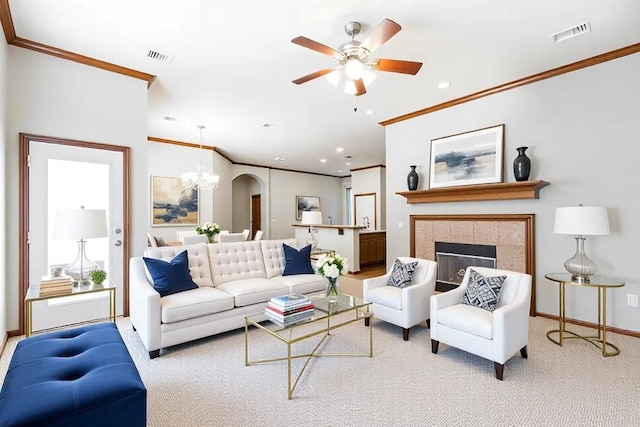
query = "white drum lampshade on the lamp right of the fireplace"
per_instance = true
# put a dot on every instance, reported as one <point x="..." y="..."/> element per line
<point x="582" y="220"/>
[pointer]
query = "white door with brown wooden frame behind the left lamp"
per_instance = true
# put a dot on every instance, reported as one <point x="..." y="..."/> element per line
<point x="64" y="174"/>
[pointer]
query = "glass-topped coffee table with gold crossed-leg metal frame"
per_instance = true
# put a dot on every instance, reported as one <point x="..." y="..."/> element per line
<point x="324" y="320"/>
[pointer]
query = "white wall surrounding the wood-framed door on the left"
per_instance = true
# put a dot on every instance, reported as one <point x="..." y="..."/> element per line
<point x="59" y="98"/>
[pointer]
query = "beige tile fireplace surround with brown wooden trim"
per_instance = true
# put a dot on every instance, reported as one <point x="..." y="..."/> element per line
<point x="511" y="234"/>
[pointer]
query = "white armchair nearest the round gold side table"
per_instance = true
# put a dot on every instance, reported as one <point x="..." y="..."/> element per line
<point x="495" y="335"/>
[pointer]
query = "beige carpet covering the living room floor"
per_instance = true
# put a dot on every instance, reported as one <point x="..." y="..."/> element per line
<point x="205" y="383"/>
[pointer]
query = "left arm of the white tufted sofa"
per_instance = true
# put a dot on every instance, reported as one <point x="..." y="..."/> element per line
<point x="144" y="305"/>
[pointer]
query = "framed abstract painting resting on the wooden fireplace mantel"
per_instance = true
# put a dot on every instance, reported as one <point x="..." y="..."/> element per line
<point x="468" y="158"/>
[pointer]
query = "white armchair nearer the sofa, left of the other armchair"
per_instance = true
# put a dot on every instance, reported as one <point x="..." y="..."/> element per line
<point x="404" y="307"/>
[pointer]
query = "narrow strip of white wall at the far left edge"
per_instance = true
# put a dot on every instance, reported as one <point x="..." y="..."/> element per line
<point x="4" y="279"/>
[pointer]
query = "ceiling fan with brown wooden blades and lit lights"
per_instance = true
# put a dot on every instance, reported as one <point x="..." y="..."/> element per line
<point x="354" y="56"/>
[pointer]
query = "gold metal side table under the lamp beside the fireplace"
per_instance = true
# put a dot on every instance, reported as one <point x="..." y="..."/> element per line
<point x="602" y="283"/>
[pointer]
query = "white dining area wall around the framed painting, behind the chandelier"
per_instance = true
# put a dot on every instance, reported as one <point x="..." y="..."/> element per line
<point x="171" y="161"/>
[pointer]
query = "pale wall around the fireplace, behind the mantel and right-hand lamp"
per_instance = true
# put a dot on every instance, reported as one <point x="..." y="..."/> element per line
<point x="583" y="130"/>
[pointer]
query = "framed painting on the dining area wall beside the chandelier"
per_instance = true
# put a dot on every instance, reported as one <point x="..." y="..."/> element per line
<point x="172" y="204"/>
